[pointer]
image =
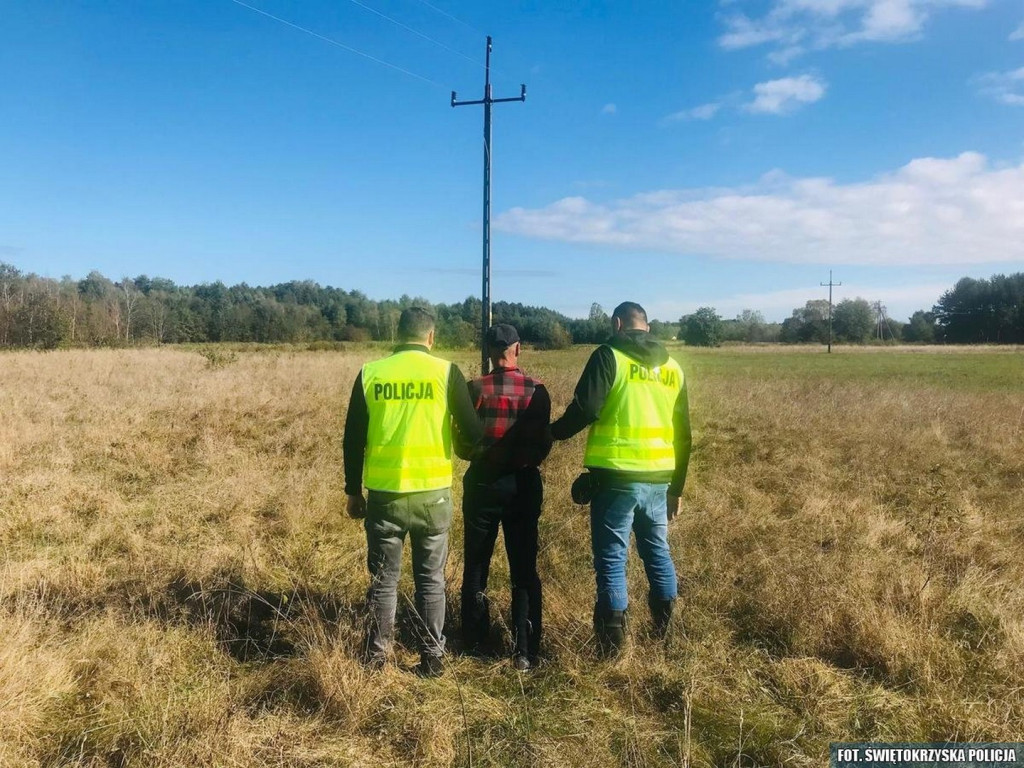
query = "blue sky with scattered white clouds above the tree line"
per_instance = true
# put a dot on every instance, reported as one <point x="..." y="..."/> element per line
<point x="676" y="154"/>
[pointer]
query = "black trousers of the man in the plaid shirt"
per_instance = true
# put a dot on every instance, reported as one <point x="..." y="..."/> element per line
<point x="514" y="502"/>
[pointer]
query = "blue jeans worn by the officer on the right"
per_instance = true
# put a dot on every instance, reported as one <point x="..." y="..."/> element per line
<point x="617" y="508"/>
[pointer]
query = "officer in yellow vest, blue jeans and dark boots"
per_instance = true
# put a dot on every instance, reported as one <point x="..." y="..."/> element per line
<point x="632" y="396"/>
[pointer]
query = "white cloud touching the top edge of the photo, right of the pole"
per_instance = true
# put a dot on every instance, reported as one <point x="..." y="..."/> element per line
<point x="794" y="26"/>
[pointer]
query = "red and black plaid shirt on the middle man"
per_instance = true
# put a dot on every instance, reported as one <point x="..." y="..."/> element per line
<point x="516" y="411"/>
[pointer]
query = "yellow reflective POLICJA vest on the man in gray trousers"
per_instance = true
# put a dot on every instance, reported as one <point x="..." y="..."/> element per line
<point x="409" y="439"/>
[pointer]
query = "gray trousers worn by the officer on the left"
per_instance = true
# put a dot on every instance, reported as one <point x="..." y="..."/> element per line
<point x="425" y="517"/>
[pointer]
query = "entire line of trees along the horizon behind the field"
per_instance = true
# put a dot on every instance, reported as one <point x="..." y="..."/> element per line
<point x="42" y="313"/>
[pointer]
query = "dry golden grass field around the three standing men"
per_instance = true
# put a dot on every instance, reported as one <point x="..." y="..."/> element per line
<point x="181" y="586"/>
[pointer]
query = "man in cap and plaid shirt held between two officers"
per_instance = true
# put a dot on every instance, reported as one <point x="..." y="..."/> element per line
<point x="503" y="488"/>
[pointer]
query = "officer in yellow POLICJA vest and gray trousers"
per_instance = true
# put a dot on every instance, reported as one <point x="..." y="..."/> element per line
<point x="399" y="445"/>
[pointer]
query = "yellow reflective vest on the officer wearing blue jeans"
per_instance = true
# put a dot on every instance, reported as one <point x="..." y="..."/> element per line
<point x="634" y="432"/>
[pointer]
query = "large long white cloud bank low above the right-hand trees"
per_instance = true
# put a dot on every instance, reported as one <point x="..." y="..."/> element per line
<point x="931" y="211"/>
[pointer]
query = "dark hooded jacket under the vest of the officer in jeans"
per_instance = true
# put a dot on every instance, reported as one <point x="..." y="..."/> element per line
<point x="592" y="392"/>
